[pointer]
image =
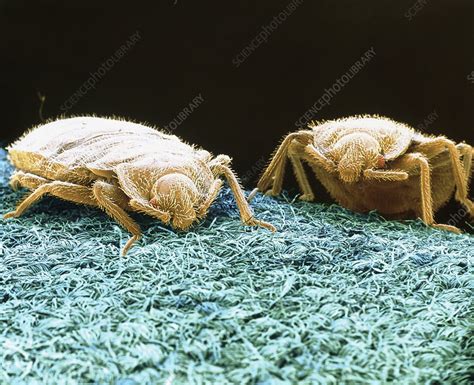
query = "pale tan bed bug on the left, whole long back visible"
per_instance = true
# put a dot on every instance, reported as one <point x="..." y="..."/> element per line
<point x="121" y="166"/>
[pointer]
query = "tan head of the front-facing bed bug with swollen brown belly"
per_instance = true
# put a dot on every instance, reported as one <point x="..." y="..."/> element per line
<point x="356" y="152"/>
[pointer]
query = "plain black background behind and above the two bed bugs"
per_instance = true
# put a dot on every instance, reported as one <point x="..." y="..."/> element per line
<point x="421" y="66"/>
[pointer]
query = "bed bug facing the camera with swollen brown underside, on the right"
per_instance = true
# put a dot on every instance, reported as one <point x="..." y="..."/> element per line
<point x="374" y="163"/>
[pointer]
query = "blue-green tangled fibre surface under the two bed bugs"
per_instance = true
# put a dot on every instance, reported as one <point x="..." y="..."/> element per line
<point x="331" y="298"/>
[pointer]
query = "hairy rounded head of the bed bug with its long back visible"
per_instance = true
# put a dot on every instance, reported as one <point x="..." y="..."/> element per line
<point x="176" y="194"/>
